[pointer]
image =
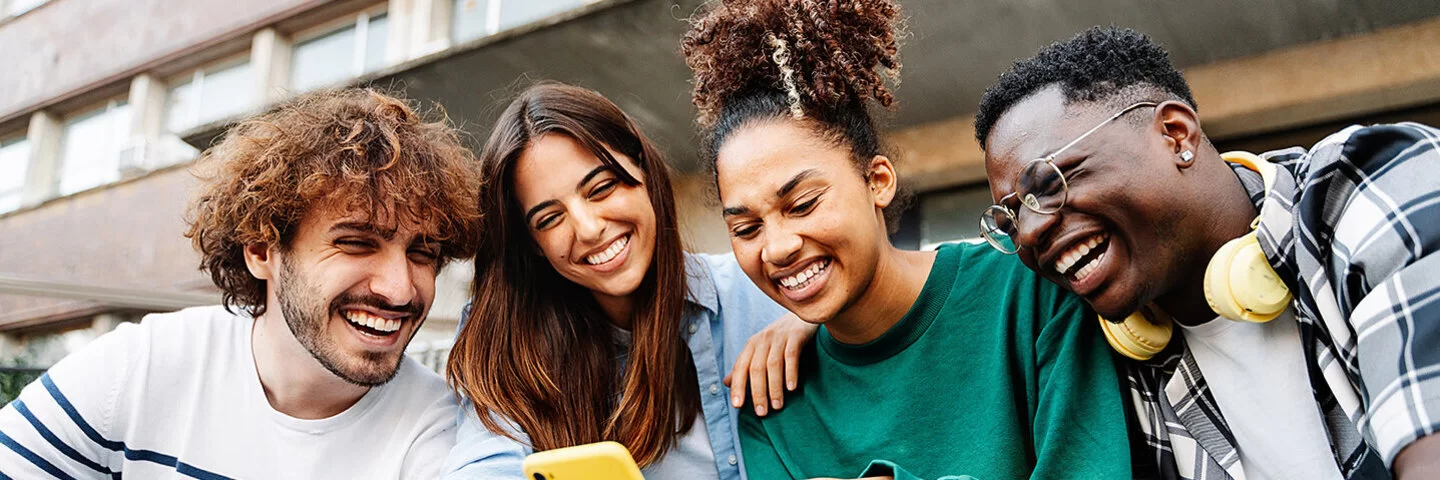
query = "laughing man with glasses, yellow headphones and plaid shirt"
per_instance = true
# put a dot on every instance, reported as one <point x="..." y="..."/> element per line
<point x="1108" y="187"/>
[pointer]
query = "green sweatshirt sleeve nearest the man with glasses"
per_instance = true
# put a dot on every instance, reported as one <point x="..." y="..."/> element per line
<point x="1079" y="427"/>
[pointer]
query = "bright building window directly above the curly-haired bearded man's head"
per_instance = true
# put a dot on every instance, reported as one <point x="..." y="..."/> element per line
<point x="333" y="57"/>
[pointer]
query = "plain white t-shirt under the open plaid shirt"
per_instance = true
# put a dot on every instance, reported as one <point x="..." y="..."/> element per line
<point x="1261" y="381"/>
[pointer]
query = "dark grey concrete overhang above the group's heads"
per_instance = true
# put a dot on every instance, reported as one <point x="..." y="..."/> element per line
<point x="630" y="53"/>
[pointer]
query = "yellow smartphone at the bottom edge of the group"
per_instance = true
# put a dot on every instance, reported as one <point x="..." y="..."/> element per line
<point x="604" y="461"/>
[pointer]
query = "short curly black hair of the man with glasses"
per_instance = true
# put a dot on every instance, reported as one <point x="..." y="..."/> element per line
<point x="1095" y="66"/>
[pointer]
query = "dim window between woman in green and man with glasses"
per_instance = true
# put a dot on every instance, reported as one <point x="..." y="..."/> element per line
<point x="953" y="215"/>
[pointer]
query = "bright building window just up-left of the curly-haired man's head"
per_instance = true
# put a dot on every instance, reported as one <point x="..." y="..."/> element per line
<point x="210" y="94"/>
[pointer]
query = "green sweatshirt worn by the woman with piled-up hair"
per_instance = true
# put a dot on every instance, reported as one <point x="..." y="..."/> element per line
<point x="993" y="374"/>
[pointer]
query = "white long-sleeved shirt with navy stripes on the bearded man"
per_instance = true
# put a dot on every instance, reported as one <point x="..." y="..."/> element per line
<point x="178" y="397"/>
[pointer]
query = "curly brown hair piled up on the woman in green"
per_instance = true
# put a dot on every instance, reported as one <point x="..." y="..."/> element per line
<point x="819" y="61"/>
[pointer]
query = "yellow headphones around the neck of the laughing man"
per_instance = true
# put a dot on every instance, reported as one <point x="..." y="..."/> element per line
<point x="1241" y="286"/>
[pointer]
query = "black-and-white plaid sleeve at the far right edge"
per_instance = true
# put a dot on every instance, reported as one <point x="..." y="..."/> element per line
<point x="1373" y="214"/>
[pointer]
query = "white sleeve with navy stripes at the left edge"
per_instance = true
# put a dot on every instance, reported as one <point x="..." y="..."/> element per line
<point x="63" y="425"/>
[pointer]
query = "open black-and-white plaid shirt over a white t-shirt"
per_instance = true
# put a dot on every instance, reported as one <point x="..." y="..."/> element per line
<point x="1353" y="227"/>
